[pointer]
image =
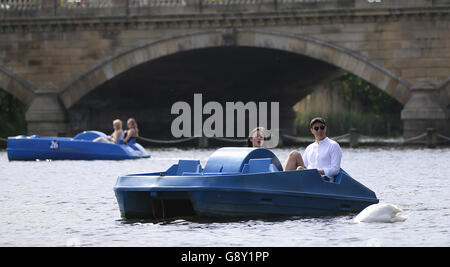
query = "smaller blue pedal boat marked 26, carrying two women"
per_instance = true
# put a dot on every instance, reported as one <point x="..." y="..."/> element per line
<point x="80" y="147"/>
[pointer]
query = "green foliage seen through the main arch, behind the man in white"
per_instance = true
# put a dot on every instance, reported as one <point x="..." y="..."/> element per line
<point x="377" y="113"/>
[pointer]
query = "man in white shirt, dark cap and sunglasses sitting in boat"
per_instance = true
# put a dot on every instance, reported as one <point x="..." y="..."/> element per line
<point x="324" y="154"/>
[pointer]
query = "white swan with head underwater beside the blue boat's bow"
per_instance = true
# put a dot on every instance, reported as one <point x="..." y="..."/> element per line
<point x="381" y="212"/>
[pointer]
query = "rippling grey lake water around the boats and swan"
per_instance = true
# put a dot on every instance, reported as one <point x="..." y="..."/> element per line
<point x="59" y="203"/>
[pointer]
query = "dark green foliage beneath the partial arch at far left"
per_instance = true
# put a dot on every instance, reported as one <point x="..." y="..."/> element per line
<point x="12" y="115"/>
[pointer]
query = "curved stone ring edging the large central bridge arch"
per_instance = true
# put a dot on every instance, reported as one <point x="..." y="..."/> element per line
<point x="294" y="43"/>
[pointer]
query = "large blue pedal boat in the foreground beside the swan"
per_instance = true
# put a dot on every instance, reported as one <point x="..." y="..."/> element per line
<point x="238" y="182"/>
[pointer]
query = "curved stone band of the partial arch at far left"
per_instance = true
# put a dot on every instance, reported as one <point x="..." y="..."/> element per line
<point x="16" y="86"/>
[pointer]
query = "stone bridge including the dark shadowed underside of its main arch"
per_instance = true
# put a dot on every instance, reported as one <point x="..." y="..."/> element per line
<point x="80" y="64"/>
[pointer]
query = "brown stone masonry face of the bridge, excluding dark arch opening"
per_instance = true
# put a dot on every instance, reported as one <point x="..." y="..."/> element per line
<point x="53" y="53"/>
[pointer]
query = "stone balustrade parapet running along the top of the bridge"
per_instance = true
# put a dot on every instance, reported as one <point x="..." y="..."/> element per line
<point x="80" y="8"/>
